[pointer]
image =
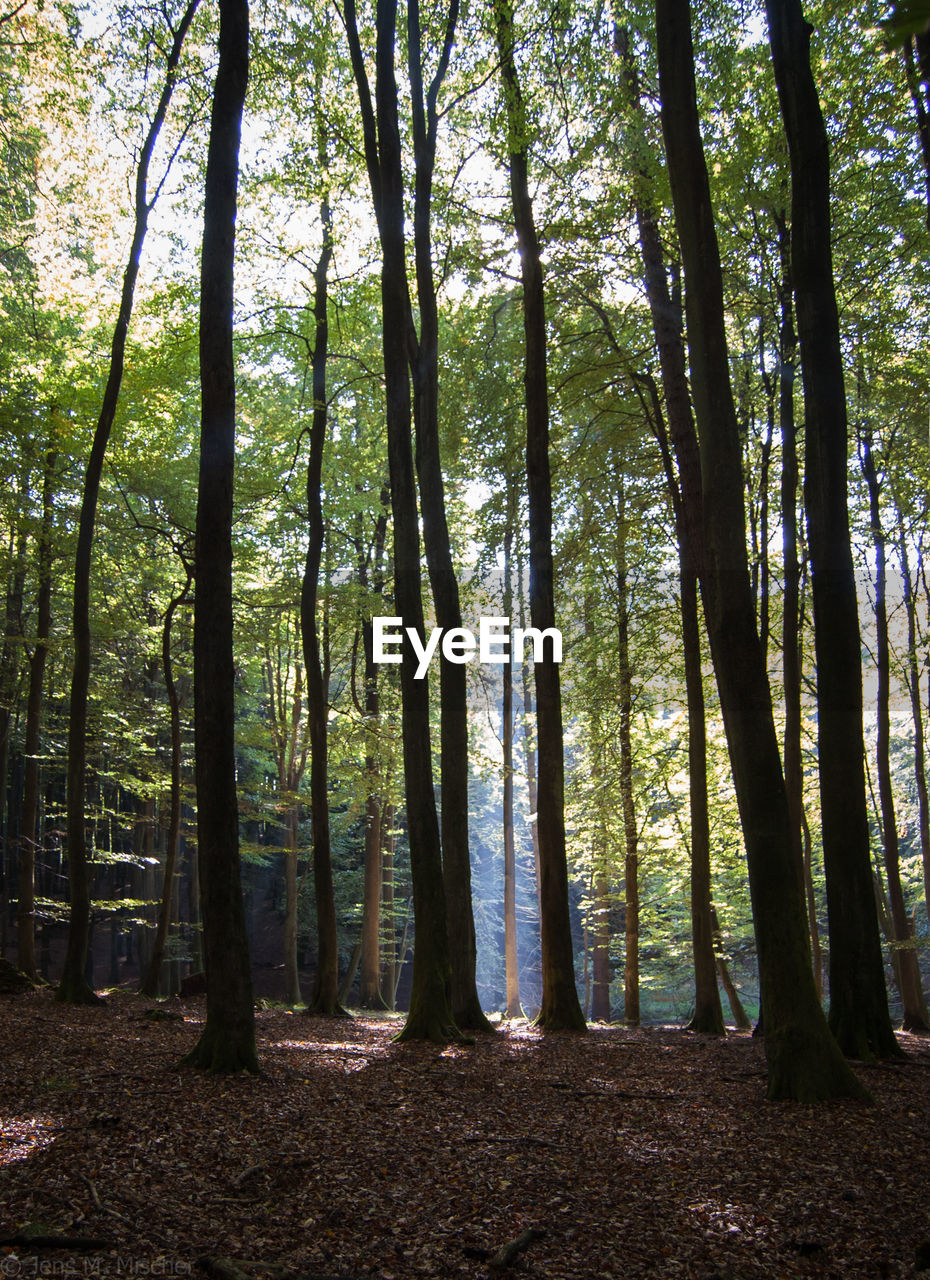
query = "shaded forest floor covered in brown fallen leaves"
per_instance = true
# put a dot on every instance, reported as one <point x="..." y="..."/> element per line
<point x="635" y="1154"/>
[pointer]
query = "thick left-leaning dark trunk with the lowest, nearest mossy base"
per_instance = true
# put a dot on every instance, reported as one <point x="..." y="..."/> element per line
<point x="804" y="1060"/>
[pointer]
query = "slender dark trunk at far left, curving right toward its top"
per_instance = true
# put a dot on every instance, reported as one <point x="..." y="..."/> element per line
<point x="74" y="988"/>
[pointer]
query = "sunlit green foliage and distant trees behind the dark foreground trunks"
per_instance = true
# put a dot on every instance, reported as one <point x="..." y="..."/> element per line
<point x="80" y="92"/>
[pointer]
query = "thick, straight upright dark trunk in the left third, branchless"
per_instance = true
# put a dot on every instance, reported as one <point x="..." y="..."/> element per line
<point x="228" y="1040"/>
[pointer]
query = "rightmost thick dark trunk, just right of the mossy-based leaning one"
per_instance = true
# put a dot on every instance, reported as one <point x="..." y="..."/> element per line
<point x="859" y="1002"/>
